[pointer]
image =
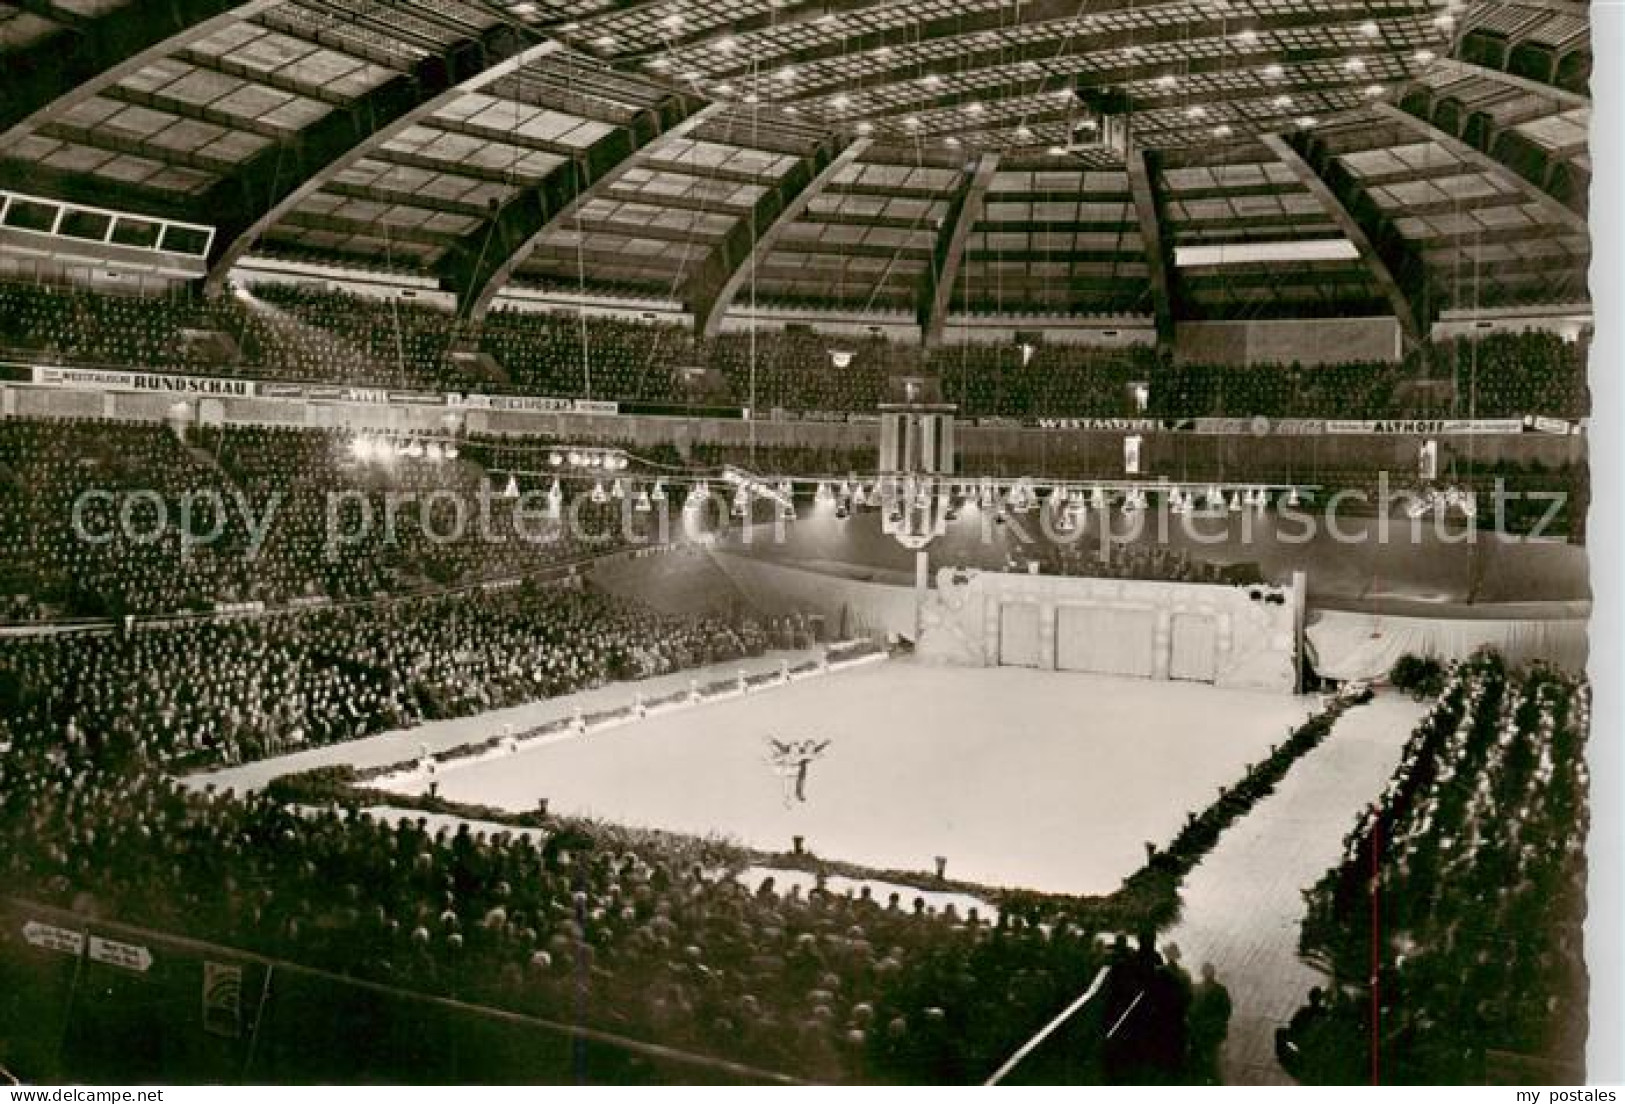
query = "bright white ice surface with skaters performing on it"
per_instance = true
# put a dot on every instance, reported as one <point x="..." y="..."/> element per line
<point x="1051" y="781"/>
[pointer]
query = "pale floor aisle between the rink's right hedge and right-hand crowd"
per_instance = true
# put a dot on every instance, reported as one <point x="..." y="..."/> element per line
<point x="1246" y="903"/>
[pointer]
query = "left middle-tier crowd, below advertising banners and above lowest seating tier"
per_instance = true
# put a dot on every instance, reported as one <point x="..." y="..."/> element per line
<point x="97" y="523"/>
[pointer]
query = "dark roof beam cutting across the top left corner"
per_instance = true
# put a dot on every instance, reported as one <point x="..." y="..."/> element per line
<point x="67" y="69"/>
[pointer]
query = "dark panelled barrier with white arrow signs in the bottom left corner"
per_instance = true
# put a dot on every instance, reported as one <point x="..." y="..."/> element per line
<point x="103" y="1001"/>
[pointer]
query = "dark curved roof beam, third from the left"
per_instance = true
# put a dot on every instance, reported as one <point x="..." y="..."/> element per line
<point x="482" y="266"/>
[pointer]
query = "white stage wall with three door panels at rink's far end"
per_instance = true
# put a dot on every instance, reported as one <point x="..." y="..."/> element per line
<point x="1231" y="637"/>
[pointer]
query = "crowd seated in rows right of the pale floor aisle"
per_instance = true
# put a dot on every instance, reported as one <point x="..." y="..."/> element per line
<point x="1467" y="879"/>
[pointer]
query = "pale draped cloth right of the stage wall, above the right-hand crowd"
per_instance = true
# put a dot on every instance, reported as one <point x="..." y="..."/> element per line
<point x="1366" y="646"/>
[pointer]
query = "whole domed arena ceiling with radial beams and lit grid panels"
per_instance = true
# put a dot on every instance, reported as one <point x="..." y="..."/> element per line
<point x="898" y="159"/>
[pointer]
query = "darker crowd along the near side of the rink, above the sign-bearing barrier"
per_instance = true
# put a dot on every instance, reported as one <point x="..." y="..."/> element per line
<point x="646" y="939"/>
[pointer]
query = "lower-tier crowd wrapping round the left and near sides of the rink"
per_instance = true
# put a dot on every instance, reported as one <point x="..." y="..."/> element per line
<point x="644" y="936"/>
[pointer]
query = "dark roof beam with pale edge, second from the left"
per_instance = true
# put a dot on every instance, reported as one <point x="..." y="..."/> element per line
<point x="282" y="180"/>
